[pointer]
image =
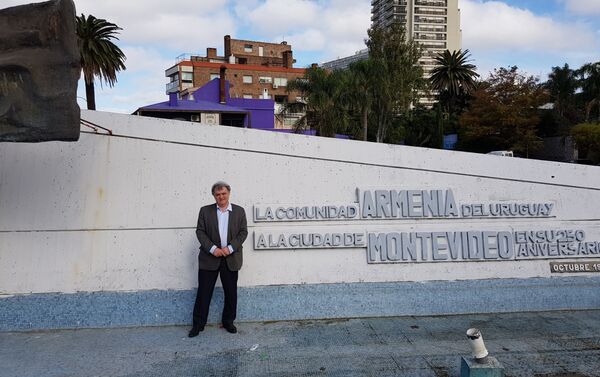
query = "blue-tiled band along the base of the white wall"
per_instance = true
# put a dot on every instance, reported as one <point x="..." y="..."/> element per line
<point x="311" y="301"/>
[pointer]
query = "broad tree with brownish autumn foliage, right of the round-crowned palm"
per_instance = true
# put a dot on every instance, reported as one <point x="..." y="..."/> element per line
<point x="503" y="113"/>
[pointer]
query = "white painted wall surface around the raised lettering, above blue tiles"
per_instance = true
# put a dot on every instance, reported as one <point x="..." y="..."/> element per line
<point x="117" y="213"/>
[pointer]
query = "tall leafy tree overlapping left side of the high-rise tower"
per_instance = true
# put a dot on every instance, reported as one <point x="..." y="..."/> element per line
<point x="399" y="77"/>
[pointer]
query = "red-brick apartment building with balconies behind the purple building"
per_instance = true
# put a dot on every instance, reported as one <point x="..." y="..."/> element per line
<point x="255" y="70"/>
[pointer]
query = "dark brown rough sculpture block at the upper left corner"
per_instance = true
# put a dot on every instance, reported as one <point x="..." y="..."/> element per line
<point x="39" y="69"/>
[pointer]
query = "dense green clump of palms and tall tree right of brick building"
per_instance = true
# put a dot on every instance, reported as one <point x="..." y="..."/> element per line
<point x="378" y="91"/>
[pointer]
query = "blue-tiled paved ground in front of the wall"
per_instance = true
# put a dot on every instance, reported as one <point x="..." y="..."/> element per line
<point x="556" y="344"/>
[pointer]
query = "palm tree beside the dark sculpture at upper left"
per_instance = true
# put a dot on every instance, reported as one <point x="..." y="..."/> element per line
<point x="99" y="55"/>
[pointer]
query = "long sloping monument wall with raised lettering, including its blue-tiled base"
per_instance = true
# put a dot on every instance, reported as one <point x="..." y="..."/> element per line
<point x="102" y="232"/>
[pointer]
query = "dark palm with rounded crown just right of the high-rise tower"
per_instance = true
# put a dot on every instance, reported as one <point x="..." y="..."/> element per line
<point x="454" y="75"/>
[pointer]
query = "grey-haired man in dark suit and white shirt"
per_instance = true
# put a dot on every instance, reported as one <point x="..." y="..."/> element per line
<point x="221" y="231"/>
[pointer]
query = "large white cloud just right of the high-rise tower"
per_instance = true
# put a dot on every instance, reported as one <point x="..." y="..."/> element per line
<point x="495" y="25"/>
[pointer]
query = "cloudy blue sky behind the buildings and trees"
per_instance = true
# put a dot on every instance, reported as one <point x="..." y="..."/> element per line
<point x="534" y="35"/>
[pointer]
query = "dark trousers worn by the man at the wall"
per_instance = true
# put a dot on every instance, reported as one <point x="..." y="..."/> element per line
<point x="206" y="286"/>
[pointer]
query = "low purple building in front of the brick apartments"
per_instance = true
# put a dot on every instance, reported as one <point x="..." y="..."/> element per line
<point x="212" y="104"/>
